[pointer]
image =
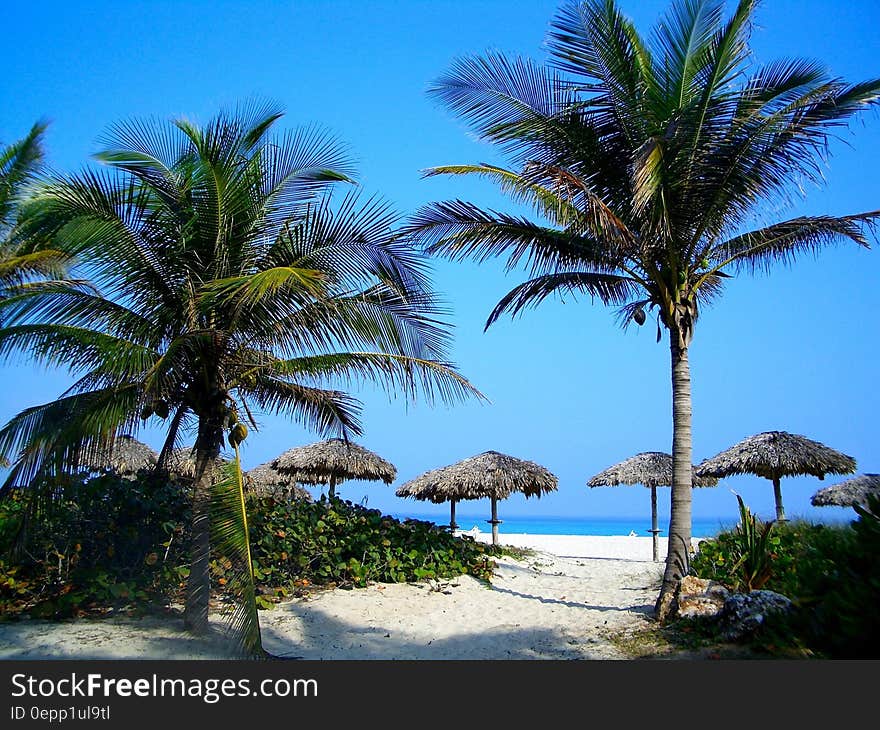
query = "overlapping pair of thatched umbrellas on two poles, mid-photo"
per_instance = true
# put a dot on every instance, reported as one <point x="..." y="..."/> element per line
<point x="489" y="474"/>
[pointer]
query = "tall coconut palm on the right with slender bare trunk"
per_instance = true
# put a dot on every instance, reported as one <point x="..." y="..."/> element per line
<point x="646" y="161"/>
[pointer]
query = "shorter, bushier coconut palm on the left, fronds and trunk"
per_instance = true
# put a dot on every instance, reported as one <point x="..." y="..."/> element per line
<point x="229" y="286"/>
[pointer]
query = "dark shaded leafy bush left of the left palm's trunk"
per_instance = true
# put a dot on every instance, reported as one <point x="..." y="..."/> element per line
<point x="98" y="544"/>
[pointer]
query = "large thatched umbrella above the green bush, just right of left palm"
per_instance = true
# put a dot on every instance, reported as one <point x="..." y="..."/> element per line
<point x="331" y="462"/>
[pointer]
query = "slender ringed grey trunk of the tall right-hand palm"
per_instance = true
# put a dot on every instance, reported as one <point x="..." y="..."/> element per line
<point x="678" y="552"/>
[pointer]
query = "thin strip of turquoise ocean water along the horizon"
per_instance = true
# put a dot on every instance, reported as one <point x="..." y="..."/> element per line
<point x="578" y="526"/>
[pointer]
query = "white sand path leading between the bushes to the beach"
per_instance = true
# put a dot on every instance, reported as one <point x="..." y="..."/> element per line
<point x="560" y="604"/>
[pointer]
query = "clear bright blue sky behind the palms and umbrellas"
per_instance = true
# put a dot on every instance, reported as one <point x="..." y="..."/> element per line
<point x="795" y="350"/>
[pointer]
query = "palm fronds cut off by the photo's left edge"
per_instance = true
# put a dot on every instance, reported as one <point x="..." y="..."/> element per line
<point x="21" y="264"/>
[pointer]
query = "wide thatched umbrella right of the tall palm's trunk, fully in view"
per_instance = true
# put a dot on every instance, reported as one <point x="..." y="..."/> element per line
<point x="777" y="454"/>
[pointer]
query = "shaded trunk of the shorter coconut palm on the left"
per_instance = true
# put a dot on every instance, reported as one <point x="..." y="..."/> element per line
<point x="198" y="588"/>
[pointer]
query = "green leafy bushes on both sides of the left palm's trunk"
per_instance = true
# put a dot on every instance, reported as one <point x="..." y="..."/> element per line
<point x="109" y="543"/>
